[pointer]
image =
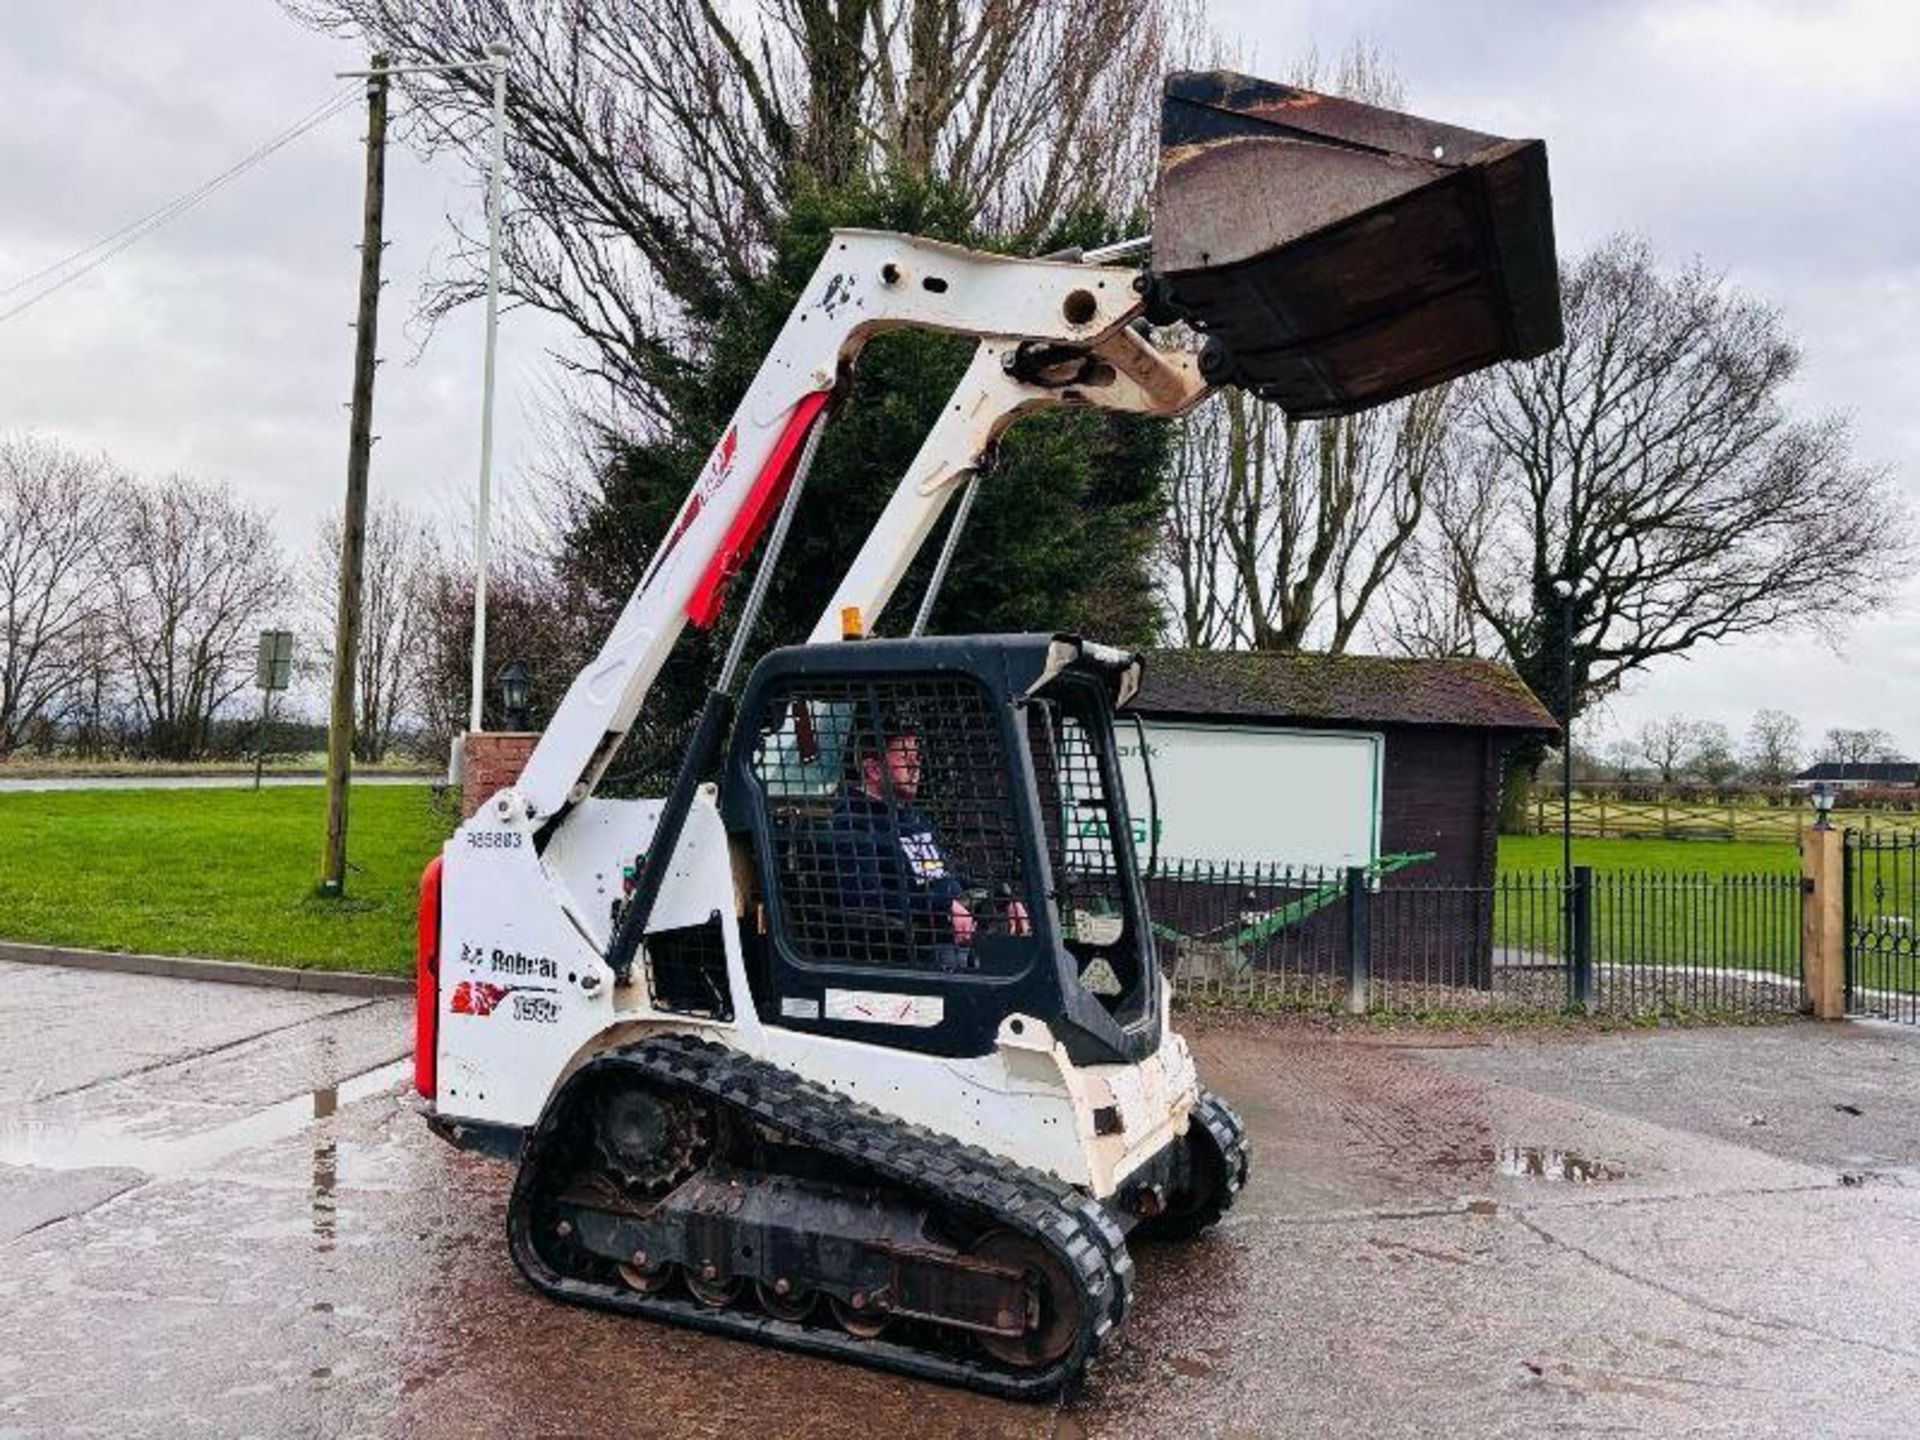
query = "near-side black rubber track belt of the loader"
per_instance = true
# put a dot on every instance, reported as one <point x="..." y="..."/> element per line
<point x="940" y="1172"/>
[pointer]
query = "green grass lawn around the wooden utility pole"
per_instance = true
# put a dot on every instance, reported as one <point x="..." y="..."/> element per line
<point x="218" y="873"/>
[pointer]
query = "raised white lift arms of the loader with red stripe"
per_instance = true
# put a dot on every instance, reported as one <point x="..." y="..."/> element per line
<point x="867" y="285"/>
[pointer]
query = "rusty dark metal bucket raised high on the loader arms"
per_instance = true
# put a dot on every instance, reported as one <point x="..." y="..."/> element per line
<point x="1339" y="254"/>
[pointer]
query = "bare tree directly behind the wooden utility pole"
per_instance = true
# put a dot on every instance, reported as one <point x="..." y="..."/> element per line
<point x="398" y="565"/>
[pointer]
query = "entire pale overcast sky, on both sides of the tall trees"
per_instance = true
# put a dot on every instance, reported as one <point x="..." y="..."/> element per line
<point x="1771" y="139"/>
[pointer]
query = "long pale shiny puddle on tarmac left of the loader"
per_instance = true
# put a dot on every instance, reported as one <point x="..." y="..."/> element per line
<point x="43" y="1145"/>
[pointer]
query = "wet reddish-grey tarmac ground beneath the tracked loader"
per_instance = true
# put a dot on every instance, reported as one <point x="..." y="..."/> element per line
<point x="218" y="1216"/>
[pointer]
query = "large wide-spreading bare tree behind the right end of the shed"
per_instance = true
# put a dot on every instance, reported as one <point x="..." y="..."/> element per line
<point x="1654" y="464"/>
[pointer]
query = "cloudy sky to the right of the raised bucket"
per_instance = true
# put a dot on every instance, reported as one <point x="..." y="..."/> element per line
<point x="1764" y="137"/>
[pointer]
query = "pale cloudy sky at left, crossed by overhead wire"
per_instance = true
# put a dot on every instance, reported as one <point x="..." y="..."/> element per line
<point x="222" y="345"/>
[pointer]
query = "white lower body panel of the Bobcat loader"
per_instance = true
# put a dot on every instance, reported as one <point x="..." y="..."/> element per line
<point x="560" y="1005"/>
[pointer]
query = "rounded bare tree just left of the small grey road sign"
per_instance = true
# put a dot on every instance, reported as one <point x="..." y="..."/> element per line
<point x="195" y="573"/>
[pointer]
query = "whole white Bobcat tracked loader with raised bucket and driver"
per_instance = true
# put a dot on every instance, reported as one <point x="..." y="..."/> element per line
<point x="855" y="1042"/>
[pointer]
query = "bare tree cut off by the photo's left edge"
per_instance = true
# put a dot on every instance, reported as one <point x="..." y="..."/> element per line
<point x="53" y="510"/>
